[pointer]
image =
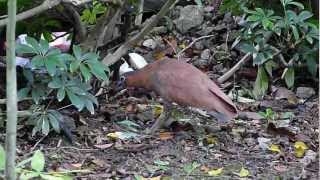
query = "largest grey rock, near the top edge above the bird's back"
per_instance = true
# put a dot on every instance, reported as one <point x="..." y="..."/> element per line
<point x="190" y="16"/>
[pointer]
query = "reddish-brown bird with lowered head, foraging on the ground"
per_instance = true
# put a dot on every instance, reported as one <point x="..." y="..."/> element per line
<point x="184" y="84"/>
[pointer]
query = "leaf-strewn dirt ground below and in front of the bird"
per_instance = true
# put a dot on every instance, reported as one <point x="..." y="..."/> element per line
<point x="189" y="148"/>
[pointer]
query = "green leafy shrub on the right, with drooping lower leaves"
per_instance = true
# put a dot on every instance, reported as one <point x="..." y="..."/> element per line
<point x="280" y="41"/>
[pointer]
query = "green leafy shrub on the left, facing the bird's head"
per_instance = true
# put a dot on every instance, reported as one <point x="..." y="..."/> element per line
<point x="60" y="75"/>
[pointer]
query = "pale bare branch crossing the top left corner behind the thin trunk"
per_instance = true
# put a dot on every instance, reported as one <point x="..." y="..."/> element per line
<point x="47" y="4"/>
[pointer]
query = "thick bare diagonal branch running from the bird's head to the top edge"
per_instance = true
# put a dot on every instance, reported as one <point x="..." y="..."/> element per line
<point x="123" y="49"/>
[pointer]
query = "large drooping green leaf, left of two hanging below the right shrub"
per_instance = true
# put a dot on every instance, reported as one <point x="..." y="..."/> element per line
<point x="261" y="83"/>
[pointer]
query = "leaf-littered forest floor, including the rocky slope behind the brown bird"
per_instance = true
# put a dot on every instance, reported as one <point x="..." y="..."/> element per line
<point x="111" y="144"/>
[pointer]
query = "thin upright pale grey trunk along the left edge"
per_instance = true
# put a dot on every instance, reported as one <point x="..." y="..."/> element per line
<point x="11" y="129"/>
